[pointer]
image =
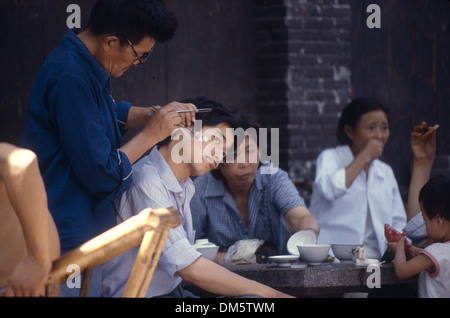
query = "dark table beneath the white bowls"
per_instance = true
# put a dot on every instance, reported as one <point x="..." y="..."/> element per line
<point x="329" y="280"/>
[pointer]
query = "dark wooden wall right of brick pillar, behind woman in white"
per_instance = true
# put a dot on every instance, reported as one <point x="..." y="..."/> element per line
<point x="406" y="64"/>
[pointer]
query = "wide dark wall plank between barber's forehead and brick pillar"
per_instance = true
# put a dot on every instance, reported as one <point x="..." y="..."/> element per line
<point x="212" y="52"/>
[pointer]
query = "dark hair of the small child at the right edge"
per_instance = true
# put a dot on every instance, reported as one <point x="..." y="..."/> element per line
<point x="435" y="197"/>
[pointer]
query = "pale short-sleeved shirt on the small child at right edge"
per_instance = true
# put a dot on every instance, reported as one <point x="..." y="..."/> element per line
<point x="436" y="284"/>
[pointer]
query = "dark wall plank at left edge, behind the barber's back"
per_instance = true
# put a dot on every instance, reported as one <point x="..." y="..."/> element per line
<point x="21" y="54"/>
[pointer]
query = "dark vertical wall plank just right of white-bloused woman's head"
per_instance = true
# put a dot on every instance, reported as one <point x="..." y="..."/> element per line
<point x="400" y="86"/>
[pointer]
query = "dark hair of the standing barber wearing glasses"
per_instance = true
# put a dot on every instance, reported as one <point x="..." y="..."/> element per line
<point x="133" y="20"/>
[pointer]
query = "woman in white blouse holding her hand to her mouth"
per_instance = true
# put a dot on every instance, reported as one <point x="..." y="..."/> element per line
<point x="355" y="193"/>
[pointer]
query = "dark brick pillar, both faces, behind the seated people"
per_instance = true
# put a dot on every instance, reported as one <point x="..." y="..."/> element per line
<point x="303" y="75"/>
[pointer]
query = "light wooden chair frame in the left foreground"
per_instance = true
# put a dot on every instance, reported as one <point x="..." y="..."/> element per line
<point x="149" y="228"/>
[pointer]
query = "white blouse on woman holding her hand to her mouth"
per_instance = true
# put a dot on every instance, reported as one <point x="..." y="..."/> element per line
<point x="343" y="213"/>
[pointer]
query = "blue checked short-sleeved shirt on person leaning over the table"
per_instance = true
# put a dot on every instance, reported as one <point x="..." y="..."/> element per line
<point x="217" y="218"/>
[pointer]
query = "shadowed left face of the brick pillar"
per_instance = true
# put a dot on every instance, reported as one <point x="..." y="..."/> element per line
<point x="271" y="63"/>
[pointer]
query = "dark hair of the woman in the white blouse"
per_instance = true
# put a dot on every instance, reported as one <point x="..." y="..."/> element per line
<point x="353" y="112"/>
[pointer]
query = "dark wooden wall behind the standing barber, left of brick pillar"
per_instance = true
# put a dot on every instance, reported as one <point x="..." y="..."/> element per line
<point x="211" y="54"/>
